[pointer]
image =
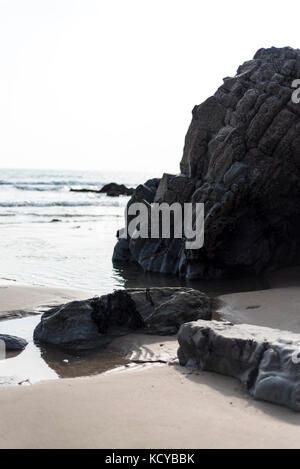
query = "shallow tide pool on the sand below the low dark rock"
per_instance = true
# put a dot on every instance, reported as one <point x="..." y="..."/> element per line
<point x="36" y="363"/>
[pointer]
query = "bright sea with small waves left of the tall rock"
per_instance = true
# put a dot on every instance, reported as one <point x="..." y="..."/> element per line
<point x="54" y="237"/>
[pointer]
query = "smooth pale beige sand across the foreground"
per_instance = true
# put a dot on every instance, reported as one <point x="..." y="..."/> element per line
<point x="158" y="407"/>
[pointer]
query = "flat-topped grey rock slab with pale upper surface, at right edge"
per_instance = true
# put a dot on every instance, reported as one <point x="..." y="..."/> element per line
<point x="266" y="361"/>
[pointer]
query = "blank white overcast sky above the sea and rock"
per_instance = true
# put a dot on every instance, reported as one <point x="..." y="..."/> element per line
<point x="110" y="84"/>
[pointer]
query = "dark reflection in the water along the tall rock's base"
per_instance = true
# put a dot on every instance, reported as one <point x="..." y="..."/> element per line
<point x="134" y="277"/>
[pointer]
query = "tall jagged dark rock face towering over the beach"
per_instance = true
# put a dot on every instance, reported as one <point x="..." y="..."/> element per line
<point x="242" y="160"/>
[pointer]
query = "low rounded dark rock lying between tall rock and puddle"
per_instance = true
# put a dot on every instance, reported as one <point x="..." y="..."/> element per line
<point x="93" y="323"/>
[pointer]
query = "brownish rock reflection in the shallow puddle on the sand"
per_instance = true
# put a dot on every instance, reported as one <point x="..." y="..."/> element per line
<point x="68" y="365"/>
